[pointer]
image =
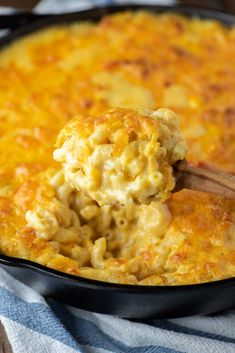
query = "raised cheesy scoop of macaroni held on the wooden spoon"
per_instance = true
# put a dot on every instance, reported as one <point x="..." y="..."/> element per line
<point x="122" y="157"/>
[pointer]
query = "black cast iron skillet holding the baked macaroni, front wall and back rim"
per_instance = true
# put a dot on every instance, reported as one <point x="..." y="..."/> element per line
<point x="129" y="301"/>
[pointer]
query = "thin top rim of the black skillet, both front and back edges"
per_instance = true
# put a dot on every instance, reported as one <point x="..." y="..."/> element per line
<point x="95" y="14"/>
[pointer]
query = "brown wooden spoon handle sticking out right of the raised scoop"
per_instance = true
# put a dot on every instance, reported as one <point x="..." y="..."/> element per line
<point x="206" y="180"/>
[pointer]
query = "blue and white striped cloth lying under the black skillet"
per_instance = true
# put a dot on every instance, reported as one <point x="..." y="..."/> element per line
<point x="33" y="324"/>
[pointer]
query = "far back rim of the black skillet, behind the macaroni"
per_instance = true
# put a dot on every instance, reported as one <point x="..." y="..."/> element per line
<point x="31" y="22"/>
